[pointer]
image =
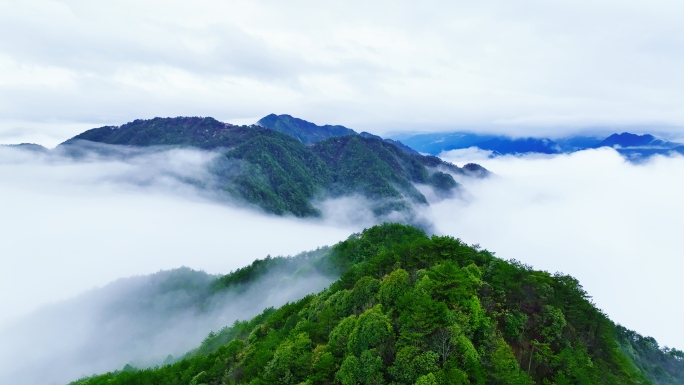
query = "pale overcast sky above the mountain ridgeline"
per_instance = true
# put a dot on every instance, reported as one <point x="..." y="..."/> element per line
<point x="523" y="67"/>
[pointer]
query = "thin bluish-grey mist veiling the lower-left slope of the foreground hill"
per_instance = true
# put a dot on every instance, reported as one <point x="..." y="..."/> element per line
<point x="138" y="321"/>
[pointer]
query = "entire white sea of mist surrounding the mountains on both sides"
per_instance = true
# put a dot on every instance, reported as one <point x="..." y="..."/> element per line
<point x="73" y="224"/>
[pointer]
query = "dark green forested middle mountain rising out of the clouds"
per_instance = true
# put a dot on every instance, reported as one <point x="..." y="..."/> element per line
<point x="281" y="174"/>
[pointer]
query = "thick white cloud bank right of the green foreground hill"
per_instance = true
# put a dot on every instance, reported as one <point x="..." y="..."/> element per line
<point x="612" y="224"/>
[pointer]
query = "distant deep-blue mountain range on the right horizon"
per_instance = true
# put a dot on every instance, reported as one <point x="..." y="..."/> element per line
<point x="633" y="146"/>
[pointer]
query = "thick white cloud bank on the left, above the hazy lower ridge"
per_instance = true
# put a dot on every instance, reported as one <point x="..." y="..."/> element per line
<point x="71" y="225"/>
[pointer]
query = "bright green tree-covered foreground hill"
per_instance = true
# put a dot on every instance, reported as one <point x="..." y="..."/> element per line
<point x="412" y="309"/>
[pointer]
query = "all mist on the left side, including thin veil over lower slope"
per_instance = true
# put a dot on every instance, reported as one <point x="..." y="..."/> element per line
<point x="72" y="224"/>
